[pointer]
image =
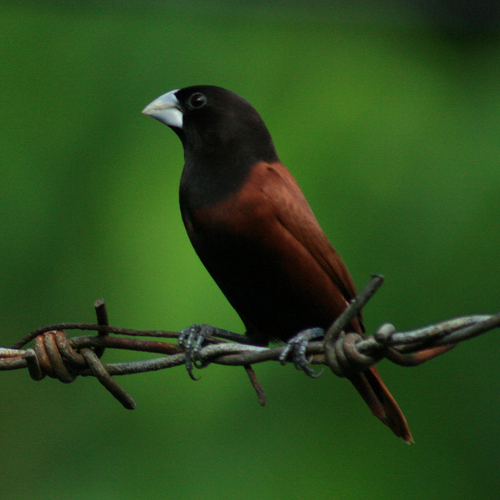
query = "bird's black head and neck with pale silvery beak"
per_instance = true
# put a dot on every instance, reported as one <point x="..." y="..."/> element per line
<point x="223" y="138"/>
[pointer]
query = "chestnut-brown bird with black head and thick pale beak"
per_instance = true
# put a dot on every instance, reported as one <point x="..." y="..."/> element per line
<point x="255" y="232"/>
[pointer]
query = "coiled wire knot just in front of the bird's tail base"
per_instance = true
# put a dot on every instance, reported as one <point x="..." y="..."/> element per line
<point x="344" y="357"/>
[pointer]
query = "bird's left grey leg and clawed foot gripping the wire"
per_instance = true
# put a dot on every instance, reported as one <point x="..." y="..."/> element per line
<point x="191" y="340"/>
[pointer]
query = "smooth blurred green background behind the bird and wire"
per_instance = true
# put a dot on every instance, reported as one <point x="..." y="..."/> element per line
<point x="388" y="114"/>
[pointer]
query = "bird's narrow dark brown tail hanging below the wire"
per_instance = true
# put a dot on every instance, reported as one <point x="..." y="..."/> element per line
<point x="381" y="403"/>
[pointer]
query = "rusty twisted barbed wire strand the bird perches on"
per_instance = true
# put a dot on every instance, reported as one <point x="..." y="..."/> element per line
<point x="56" y="355"/>
